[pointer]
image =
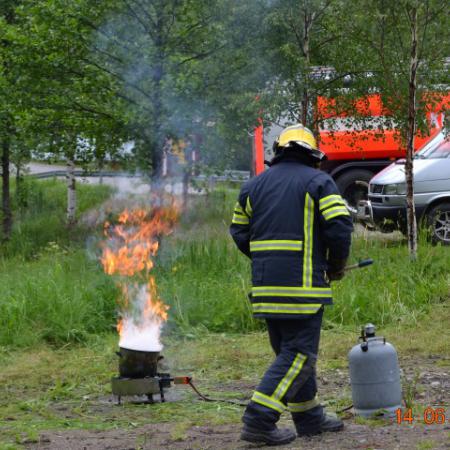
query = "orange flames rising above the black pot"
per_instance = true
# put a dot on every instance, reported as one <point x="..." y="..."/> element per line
<point x="128" y="253"/>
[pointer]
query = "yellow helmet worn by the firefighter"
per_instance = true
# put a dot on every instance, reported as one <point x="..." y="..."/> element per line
<point x="301" y="138"/>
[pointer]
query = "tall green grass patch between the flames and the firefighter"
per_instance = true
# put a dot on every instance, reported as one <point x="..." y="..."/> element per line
<point x="206" y="283"/>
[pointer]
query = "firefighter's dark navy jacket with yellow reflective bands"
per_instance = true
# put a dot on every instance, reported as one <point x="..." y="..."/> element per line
<point x="290" y="220"/>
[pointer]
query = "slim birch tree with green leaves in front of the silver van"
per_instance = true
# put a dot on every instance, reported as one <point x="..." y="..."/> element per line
<point x="398" y="50"/>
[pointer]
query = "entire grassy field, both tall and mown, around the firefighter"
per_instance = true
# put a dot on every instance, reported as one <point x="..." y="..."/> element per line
<point x="57" y="313"/>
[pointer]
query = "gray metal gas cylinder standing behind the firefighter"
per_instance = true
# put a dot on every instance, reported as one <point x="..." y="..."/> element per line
<point x="374" y="375"/>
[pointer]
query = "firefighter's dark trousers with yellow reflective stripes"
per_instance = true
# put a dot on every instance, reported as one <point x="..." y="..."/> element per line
<point x="290" y="382"/>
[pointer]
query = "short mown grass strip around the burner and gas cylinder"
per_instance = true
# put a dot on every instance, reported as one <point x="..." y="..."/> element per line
<point x="69" y="388"/>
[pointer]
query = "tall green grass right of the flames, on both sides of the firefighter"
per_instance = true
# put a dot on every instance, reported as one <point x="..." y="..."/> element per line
<point x="206" y="280"/>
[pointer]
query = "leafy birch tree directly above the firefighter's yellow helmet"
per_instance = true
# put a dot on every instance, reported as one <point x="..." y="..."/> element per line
<point x="299" y="35"/>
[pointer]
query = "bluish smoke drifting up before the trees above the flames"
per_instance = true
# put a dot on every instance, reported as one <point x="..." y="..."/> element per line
<point x="191" y="76"/>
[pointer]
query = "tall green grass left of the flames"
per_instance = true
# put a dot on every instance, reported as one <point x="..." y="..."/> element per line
<point x="58" y="298"/>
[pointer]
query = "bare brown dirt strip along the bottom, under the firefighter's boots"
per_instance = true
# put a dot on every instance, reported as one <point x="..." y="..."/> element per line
<point x="227" y="437"/>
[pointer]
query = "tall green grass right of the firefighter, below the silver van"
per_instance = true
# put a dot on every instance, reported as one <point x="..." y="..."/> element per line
<point x="393" y="290"/>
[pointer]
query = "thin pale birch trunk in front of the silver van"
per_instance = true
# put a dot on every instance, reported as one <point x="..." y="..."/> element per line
<point x="411" y="130"/>
